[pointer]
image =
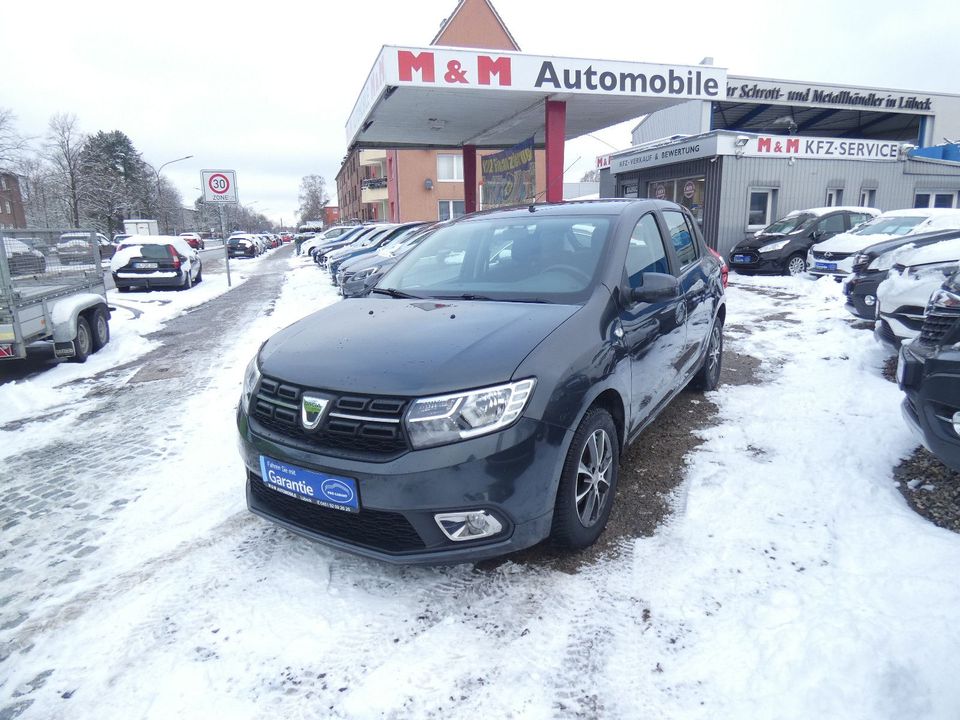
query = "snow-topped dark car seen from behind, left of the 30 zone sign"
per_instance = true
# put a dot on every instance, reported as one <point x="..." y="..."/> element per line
<point x="151" y="261"/>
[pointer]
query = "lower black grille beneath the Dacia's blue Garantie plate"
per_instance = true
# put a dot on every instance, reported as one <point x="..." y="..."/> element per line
<point x="376" y="529"/>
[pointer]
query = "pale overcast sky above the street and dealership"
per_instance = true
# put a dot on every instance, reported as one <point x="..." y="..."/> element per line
<point x="265" y="88"/>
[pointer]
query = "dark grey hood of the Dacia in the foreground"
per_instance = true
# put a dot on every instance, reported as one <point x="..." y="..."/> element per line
<point x="384" y="346"/>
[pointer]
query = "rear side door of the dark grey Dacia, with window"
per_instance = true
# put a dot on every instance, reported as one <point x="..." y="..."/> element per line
<point x="696" y="306"/>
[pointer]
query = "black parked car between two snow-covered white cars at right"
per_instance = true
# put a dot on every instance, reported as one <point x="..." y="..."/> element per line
<point x="872" y="265"/>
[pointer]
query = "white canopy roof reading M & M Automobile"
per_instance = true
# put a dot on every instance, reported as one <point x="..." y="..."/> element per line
<point x="451" y="97"/>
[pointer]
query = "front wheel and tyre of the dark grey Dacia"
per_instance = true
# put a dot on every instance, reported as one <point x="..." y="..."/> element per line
<point x="583" y="505"/>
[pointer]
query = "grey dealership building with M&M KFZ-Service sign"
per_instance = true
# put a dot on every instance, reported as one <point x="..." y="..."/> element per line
<point x="772" y="146"/>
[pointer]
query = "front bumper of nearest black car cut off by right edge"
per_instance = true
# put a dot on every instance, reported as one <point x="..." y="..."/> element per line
<point x="930" y="377"/>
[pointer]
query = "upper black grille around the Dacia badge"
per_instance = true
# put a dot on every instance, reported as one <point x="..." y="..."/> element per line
<point x="357" y="427"/>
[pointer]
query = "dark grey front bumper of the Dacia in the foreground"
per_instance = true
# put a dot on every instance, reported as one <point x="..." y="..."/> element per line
<point x="512" y="474"/>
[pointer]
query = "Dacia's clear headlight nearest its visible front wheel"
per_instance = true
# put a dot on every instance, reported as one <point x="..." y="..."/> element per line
<point x="448" y="418"/>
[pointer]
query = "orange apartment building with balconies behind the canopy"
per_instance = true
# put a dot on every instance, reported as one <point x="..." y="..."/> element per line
<point x="401" y="185"/>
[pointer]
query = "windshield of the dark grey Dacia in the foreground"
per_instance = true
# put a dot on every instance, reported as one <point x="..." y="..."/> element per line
<point x="547" y="259"/>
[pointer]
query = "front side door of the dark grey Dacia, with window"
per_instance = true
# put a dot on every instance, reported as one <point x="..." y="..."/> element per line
<point x="653" y="333"/>
